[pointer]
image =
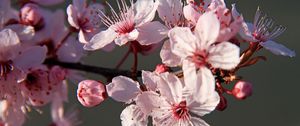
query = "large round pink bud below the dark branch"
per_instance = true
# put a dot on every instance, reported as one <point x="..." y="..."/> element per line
<point x="91" y="93"/>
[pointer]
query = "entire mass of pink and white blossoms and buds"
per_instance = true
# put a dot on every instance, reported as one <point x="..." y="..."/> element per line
<point x="200" y="50"/>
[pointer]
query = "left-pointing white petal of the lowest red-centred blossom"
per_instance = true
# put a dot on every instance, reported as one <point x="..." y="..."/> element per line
<point x="150" y="101"/>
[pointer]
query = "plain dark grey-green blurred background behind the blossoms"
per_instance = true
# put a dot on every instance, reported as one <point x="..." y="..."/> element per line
<point x="276" y="97"/>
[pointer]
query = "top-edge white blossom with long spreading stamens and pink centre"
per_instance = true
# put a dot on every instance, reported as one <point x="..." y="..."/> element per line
<point x="131" y="24"/>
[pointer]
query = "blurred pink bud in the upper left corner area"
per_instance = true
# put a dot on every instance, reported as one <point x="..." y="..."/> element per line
<point x="30" y="14"/>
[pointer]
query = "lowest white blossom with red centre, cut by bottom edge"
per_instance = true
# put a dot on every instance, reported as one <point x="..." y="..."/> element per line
<point x="173" y="106"/>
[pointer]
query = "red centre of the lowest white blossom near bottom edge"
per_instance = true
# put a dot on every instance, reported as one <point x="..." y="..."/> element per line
<point x="180" y="111"/>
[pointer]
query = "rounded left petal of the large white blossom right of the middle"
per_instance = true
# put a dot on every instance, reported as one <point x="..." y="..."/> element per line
<point x="183" y="42"/>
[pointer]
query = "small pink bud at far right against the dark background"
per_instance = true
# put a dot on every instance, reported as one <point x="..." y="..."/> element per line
<point x="242" y="90"/>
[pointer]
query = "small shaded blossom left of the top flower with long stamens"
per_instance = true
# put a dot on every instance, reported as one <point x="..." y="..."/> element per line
<point x="84" y="18"/>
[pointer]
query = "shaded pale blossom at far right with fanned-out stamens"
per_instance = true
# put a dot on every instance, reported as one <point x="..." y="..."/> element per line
<point x="263" y="30"/>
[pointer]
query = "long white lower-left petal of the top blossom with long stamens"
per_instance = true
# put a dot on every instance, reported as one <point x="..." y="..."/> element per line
<point x="101" y="39"/>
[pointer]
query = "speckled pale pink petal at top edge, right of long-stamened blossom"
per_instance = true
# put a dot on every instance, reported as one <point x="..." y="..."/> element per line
<point x="170" y="10"/>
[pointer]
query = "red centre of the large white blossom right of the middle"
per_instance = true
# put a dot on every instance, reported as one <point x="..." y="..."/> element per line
<point x="200" y="58"/>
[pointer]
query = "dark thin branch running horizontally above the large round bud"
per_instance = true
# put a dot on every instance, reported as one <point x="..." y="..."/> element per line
<point x="107" y="72"/>
